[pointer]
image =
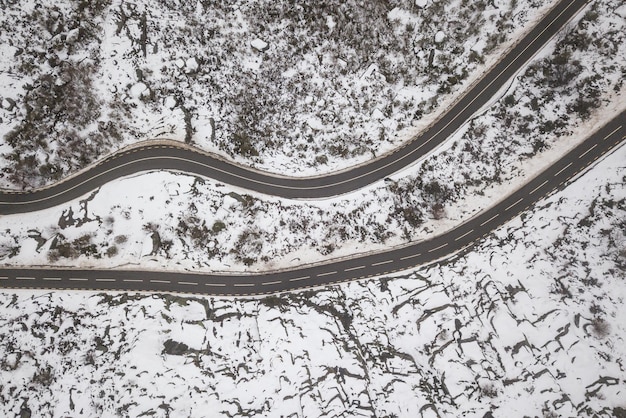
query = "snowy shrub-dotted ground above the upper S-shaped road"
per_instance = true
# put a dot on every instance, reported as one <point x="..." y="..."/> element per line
<point x="288" y="87"/>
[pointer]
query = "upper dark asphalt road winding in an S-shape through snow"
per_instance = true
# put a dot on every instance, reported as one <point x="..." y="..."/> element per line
<point x="175" y="158"/>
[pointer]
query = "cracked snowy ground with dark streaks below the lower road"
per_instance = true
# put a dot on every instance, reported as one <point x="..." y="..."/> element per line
<point x="531" y="323"/>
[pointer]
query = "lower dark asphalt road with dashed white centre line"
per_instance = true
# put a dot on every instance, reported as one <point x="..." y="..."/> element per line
<point x="421" y="253"/>
